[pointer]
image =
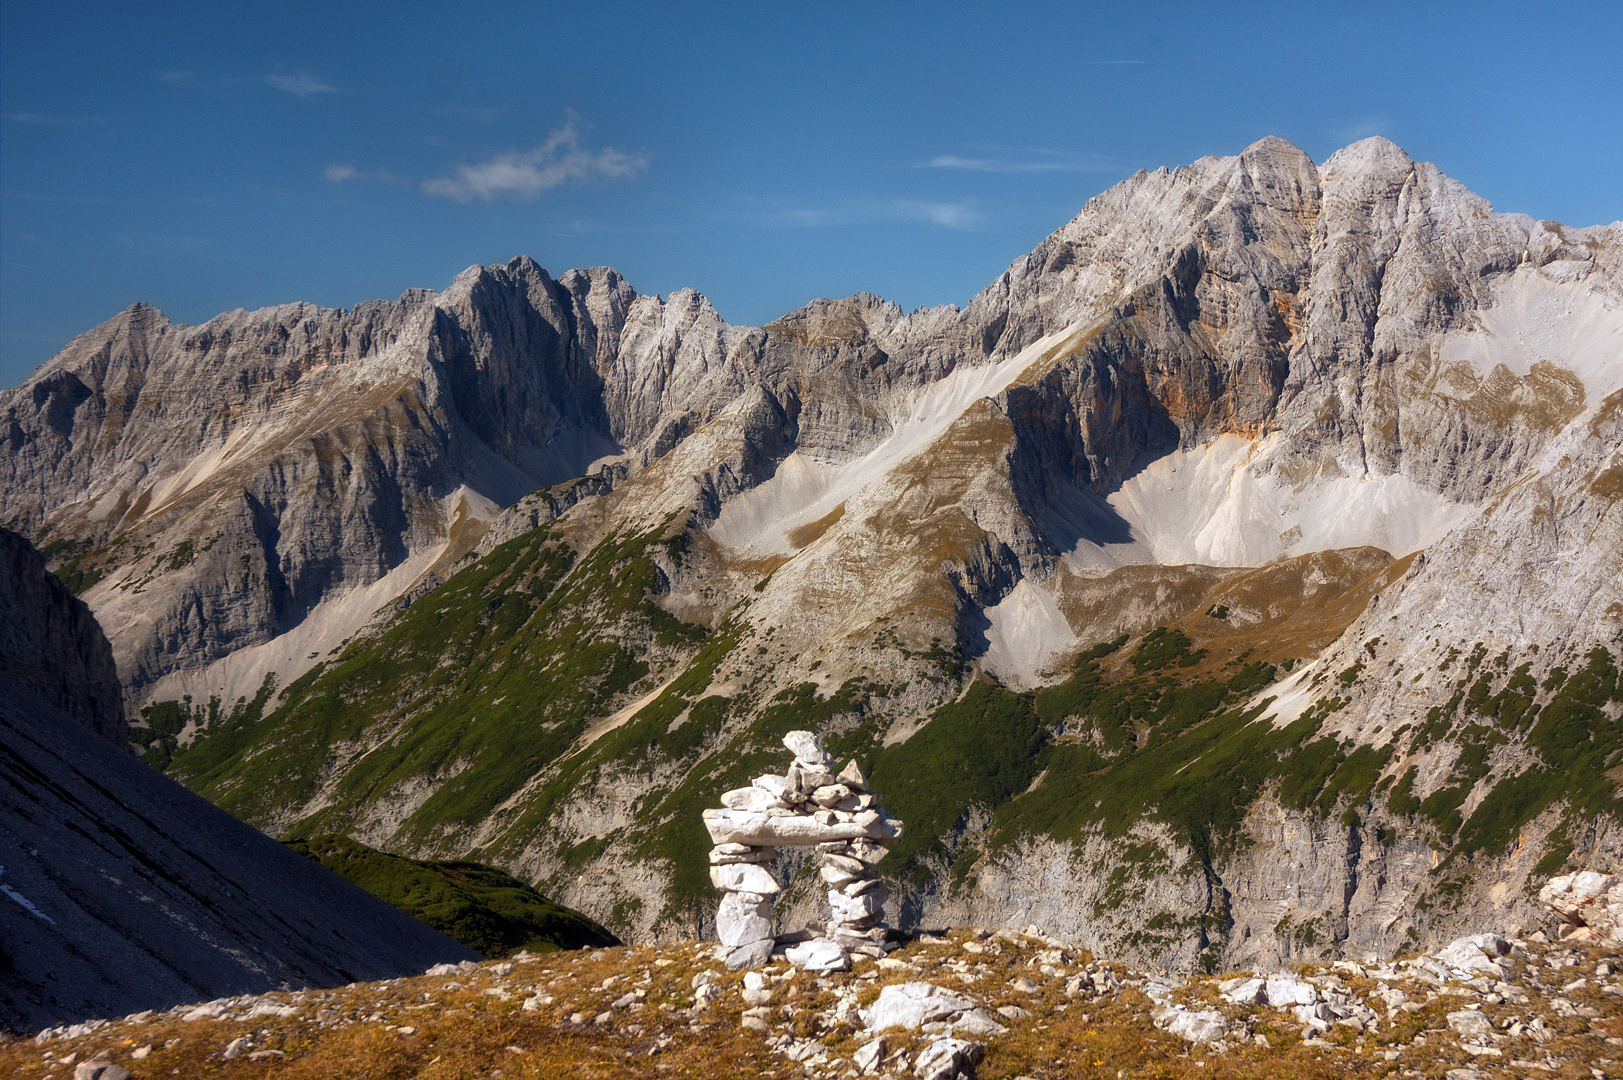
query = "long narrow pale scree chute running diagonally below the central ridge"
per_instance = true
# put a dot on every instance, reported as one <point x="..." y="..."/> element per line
<point x="804" y="490"/>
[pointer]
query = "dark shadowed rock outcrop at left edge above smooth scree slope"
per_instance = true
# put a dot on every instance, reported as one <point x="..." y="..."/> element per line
<point x="53" y="646"/>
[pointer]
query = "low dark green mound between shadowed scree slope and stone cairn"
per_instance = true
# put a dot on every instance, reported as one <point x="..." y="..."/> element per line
<point x="488" y="910"/>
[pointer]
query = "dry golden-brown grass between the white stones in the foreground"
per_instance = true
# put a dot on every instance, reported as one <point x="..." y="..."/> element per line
<point x="462" y="1032"/>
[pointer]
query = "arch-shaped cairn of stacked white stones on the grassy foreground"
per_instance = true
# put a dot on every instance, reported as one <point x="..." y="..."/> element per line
<point x="811" y="806"/>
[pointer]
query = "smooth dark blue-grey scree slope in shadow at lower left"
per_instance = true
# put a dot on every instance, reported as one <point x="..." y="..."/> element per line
<point x="124" y="891"/>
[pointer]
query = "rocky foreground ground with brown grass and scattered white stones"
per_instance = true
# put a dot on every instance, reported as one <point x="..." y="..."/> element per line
<point x="991" y="1006"/>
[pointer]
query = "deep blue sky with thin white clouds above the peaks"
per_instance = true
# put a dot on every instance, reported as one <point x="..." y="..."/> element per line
<point x="226" y="155"/>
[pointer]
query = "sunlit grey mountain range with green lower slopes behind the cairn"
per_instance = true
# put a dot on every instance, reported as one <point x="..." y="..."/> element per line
<point x="1255" y="493"/>
